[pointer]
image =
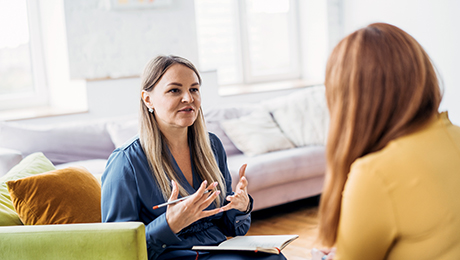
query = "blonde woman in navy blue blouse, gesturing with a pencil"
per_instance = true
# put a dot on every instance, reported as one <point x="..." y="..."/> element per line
<point x="174" y="156"/>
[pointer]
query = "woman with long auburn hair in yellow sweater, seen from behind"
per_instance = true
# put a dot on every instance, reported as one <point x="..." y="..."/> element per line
<point x="393" y="161"/>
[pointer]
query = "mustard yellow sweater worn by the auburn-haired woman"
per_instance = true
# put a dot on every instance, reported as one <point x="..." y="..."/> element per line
<point x="403" y="202"/>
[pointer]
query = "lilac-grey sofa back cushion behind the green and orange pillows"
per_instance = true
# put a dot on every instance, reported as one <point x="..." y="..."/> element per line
<point x="59" y="143"/>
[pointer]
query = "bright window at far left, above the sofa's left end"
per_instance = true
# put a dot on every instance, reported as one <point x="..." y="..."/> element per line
<point x="22" y="77"/>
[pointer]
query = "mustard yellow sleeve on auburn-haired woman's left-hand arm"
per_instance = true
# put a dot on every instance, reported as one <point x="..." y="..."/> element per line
<point x="367" y="226"/>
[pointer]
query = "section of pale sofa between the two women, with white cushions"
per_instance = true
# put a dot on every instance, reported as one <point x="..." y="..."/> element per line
<point x="283" y="142"/>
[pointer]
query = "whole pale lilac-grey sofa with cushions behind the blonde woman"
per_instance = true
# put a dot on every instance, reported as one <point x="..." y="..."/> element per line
<point x="284" y="163"/>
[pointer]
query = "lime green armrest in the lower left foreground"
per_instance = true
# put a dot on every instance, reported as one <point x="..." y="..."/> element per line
<point x="121" y="240"/>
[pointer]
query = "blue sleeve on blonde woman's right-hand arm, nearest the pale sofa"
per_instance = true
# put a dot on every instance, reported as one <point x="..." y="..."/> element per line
<point x="233" y="222"/>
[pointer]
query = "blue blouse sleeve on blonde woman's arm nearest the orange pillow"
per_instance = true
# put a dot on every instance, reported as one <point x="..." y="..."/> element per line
<point x="120" y="202"/>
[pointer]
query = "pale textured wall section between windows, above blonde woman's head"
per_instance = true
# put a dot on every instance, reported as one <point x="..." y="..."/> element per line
<point x="108" y="43"/>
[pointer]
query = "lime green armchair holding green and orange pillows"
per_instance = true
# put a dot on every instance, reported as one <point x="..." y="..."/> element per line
<point x="40" y="198"/>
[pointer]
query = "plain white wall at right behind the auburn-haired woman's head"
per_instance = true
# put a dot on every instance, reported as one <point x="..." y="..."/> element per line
<point x="434" y="24"/>
